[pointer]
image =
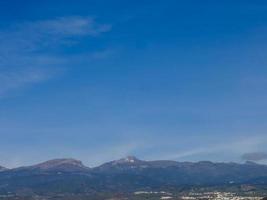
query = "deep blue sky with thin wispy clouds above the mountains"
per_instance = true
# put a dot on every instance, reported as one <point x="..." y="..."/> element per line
<point x="98" y="80"/>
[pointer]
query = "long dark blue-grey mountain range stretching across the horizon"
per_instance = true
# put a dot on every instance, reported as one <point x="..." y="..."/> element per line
<point x="126" y="174"/>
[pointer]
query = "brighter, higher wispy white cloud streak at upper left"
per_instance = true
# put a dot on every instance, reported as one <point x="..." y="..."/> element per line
<point x="34" y="35"/>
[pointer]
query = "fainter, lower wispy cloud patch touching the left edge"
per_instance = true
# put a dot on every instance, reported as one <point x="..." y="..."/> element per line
<point x="19" y="71"/>
